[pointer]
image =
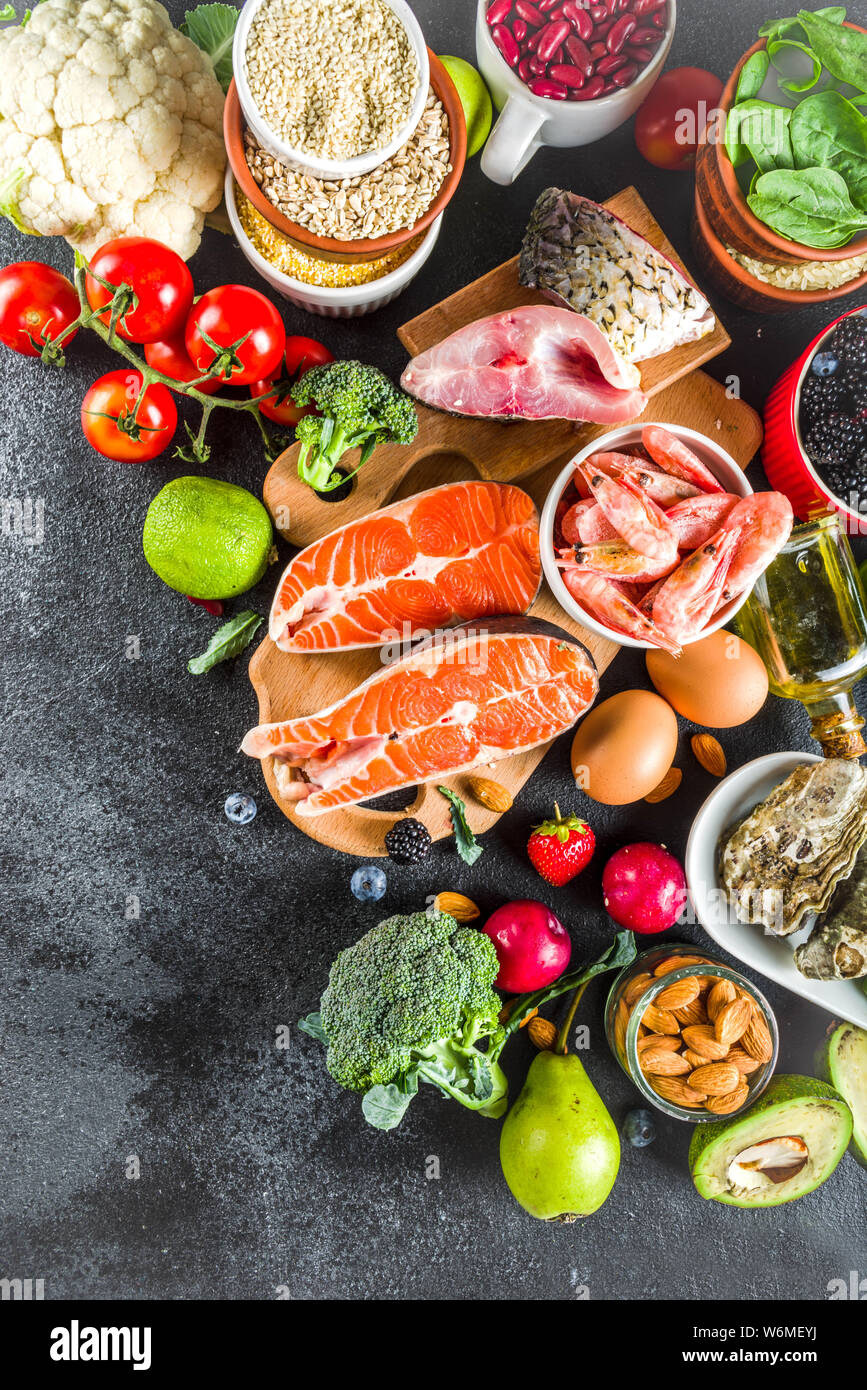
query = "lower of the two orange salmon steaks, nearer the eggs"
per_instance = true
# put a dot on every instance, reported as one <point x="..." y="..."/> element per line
<point x="473" y="696"/>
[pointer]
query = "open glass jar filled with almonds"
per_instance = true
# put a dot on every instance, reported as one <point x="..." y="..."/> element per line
<point x="697" y="1038"/>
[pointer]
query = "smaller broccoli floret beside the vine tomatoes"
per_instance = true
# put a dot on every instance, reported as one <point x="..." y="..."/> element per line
<point x="361" y="408"/>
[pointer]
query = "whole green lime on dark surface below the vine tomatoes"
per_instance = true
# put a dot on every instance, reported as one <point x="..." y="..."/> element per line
<point x="208" y="539"/>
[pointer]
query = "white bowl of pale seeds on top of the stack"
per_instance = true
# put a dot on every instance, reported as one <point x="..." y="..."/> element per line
<point x="331" y="87"/>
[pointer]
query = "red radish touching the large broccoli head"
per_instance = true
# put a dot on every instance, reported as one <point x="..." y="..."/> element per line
<point x="533" y="946"/>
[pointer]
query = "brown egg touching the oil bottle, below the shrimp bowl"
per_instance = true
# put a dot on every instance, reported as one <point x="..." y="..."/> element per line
<point x="719" y="682"/>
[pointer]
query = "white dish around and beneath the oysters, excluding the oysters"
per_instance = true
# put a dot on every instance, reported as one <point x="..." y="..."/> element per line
<point x="732" y="803"/>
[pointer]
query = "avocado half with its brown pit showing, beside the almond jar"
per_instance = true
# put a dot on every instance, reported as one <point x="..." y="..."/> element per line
<point x="784" y="1147"/>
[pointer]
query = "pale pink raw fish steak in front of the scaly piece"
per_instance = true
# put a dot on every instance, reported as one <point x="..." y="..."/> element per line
<point x="529" y="363"/>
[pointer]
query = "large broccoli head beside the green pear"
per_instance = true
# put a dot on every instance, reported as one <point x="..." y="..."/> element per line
<point x="408" y="1003"/>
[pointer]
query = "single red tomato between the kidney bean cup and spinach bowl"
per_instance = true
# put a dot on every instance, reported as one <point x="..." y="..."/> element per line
<point x="675" y="117"/>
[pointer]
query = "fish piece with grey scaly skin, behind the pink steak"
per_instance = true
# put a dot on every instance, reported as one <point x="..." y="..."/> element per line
<point x="581" y="255"/>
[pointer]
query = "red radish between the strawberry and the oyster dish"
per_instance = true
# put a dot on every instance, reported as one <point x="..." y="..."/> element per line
<point x="644" y="888"/>
